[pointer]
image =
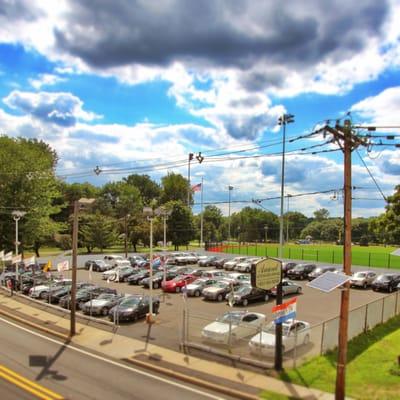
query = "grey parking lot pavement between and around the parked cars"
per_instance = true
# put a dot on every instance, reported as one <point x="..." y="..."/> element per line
<point x="313" y="306"/>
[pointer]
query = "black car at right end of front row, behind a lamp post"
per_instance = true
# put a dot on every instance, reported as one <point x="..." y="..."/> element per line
<point x="133" y="308"/>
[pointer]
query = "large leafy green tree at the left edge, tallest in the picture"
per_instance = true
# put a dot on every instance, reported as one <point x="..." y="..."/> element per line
<point x="28" y="183"/>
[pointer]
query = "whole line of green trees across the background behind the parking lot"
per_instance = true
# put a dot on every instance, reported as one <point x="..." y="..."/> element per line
<point x="28" y="183"/>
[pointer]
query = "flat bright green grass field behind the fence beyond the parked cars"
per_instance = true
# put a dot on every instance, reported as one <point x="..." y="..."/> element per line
<point x="371" y="256"/>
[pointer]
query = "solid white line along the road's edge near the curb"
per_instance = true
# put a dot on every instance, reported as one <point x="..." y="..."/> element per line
<point x="114" y="362"/>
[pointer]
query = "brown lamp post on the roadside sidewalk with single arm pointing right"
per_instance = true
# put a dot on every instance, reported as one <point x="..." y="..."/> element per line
<point x="78" y="204"/>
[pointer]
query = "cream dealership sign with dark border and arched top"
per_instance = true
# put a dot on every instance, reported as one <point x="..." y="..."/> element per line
<point x="266" y="274"/>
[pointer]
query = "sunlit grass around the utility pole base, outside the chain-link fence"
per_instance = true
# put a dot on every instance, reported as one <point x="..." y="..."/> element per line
<point x="372" y="371"/>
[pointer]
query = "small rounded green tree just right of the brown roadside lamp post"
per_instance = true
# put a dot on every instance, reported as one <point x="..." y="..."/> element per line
<point x="98" y="231"/>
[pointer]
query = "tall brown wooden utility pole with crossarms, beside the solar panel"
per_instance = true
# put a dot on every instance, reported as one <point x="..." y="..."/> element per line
<point x="347" y="141"/>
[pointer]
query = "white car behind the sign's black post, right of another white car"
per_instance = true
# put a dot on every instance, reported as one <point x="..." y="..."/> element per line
<point x="294" y="333"/>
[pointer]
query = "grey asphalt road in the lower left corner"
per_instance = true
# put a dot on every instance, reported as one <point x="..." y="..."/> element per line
<point x="74" y="374"/>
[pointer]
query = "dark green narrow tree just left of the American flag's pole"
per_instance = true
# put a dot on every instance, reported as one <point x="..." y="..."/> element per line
<point x="180" y="224"/>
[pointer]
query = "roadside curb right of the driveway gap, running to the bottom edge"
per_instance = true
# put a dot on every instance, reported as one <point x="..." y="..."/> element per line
<point x="192" y="380"/>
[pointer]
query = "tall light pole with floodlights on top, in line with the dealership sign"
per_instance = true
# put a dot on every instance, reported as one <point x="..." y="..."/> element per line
<point x="283" y="121"/>
